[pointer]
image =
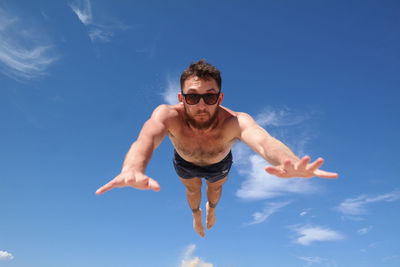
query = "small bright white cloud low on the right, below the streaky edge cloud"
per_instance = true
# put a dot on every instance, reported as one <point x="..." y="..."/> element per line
<point x="308" y="234"/>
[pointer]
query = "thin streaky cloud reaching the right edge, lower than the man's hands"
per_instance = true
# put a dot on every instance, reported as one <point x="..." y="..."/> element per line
<point x="352" y="208"/>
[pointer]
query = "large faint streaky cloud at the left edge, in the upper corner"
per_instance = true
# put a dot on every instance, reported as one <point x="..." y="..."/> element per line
<point x="25" y="52"/>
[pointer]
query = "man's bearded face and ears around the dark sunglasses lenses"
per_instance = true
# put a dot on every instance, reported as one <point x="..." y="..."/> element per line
<point x="200" y="115"/>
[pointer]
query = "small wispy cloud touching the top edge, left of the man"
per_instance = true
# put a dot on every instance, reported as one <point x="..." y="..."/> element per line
<point x="97" y="31"/>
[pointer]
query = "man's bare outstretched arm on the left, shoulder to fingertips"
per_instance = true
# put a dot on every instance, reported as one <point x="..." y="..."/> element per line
<point x="139" y="154"/>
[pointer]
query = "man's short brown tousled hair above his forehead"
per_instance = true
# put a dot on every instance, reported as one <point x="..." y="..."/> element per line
<point x="203" y="70"/>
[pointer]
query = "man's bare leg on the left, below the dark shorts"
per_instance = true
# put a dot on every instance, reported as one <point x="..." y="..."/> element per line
<point x="193" y="195"/>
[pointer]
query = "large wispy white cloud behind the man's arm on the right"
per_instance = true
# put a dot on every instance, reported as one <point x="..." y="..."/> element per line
<point x="258" y="184"/>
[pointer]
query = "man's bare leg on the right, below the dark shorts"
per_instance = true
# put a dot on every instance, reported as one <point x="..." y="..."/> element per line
<point x="214" y="191"/>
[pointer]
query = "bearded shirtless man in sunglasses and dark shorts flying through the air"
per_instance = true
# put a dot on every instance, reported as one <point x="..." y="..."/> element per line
<point x="203" y="132"/>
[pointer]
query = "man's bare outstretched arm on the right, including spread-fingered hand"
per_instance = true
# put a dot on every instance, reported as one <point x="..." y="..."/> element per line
<point x="286" y="163"/>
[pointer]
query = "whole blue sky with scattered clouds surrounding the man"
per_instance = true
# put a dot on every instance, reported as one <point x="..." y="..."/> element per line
<point x="79" y="78"/>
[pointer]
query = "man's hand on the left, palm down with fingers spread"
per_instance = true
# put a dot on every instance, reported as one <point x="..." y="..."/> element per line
<point x="130" y="178"/>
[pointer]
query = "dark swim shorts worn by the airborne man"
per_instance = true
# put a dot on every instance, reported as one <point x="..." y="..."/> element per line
<point x="212" y="173"/>
